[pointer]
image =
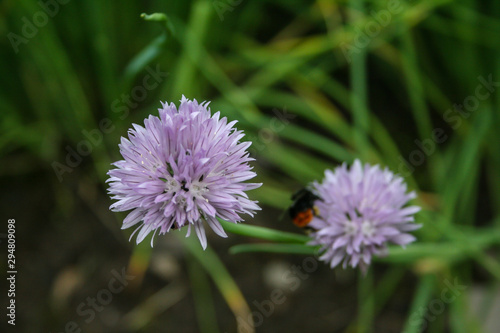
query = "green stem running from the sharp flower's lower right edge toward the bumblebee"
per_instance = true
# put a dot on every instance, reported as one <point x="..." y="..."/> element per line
<point x="263" y="233"/>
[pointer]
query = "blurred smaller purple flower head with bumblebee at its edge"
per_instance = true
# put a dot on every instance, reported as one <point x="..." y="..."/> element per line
<point x="361" y="210"/>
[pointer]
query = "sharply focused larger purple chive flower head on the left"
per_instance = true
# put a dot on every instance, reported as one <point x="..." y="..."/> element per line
<point x="185" y="168"/>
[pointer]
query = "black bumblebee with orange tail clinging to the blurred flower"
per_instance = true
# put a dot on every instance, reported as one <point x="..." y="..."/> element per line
<point x="303" y="209"/>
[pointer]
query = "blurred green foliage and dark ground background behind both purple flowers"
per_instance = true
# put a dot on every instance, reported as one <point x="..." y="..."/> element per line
<point x="356" y="79"/>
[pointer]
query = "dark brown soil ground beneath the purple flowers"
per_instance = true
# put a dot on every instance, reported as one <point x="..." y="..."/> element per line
<point x="68" y="244"/>
